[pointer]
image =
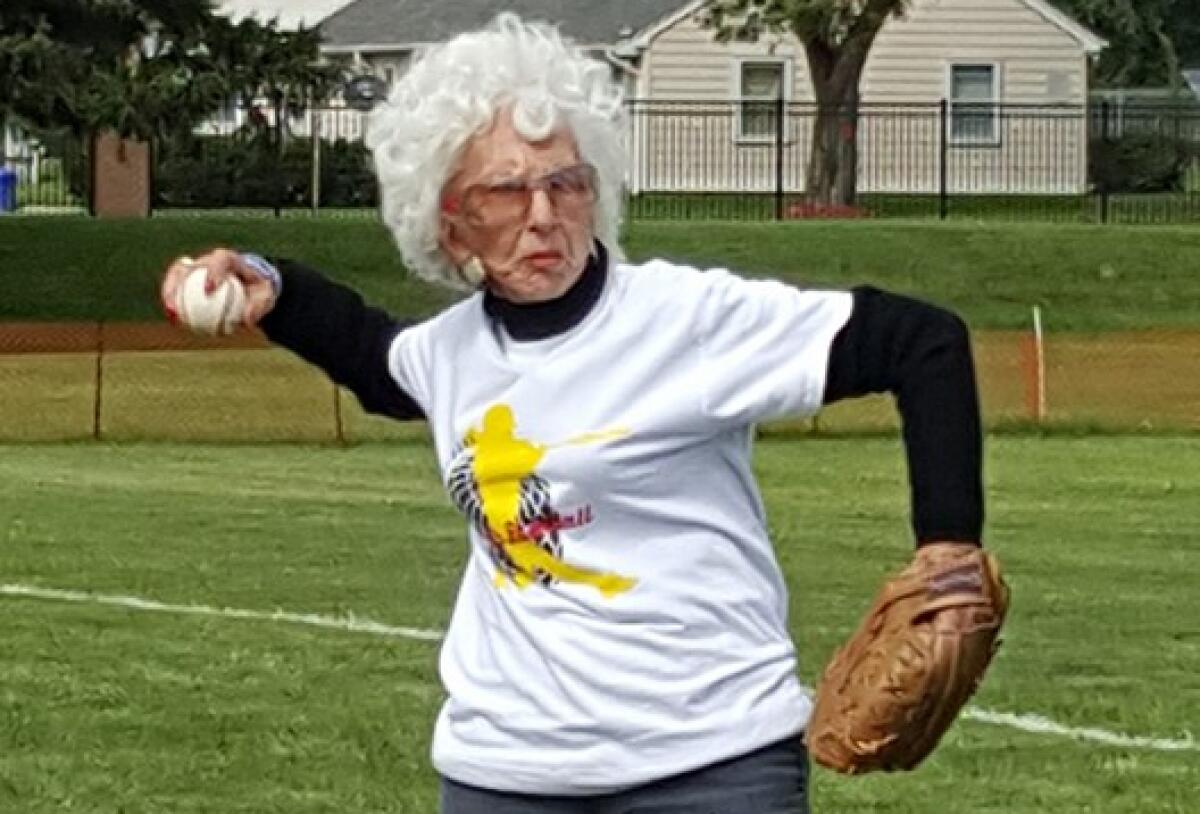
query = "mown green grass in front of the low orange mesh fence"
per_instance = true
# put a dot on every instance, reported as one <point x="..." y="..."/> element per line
<point x="110" y="709"/>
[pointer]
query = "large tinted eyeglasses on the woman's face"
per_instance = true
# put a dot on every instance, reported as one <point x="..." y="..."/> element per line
<point x="507" y="203"/>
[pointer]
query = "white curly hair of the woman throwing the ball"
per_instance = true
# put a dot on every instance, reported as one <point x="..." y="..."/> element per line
<point x="455" y="91"/>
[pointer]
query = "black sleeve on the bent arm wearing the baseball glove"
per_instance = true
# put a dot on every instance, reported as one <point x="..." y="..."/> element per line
<point x="921" y="355"/>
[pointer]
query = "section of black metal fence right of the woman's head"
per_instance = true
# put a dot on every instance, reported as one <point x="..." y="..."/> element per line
<point x="752" y="160"/>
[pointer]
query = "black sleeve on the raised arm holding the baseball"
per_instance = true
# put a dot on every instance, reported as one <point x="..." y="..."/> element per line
<point x="331" y="326"/>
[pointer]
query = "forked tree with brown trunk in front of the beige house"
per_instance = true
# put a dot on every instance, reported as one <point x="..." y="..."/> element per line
<point x="837" y="37"/>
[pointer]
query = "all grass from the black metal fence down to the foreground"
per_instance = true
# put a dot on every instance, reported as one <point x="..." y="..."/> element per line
<point x="112" y="708"/>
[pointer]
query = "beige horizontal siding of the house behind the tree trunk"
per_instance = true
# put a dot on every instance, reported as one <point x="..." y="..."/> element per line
<point x="695" y="148"/>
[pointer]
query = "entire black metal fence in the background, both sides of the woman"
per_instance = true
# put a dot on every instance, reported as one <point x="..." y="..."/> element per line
<point x="747" y="160"/>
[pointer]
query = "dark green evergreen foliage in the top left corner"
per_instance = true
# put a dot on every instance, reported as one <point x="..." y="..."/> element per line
<point x="146" y="68"/>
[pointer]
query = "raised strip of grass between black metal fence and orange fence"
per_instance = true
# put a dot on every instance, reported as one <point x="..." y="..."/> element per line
<point x="1087" y="278"/>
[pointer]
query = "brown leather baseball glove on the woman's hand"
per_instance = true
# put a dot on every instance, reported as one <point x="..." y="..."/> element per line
<point x="897" y="686"/>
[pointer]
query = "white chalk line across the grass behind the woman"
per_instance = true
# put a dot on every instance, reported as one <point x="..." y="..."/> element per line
<point x="1023" y="722"/>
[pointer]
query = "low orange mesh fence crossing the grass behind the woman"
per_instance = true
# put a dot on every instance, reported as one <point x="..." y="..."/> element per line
<point x="131" y="381"/>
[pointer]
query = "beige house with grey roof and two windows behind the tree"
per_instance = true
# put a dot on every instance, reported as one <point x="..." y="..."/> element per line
<point x="1013" y="75"/>
